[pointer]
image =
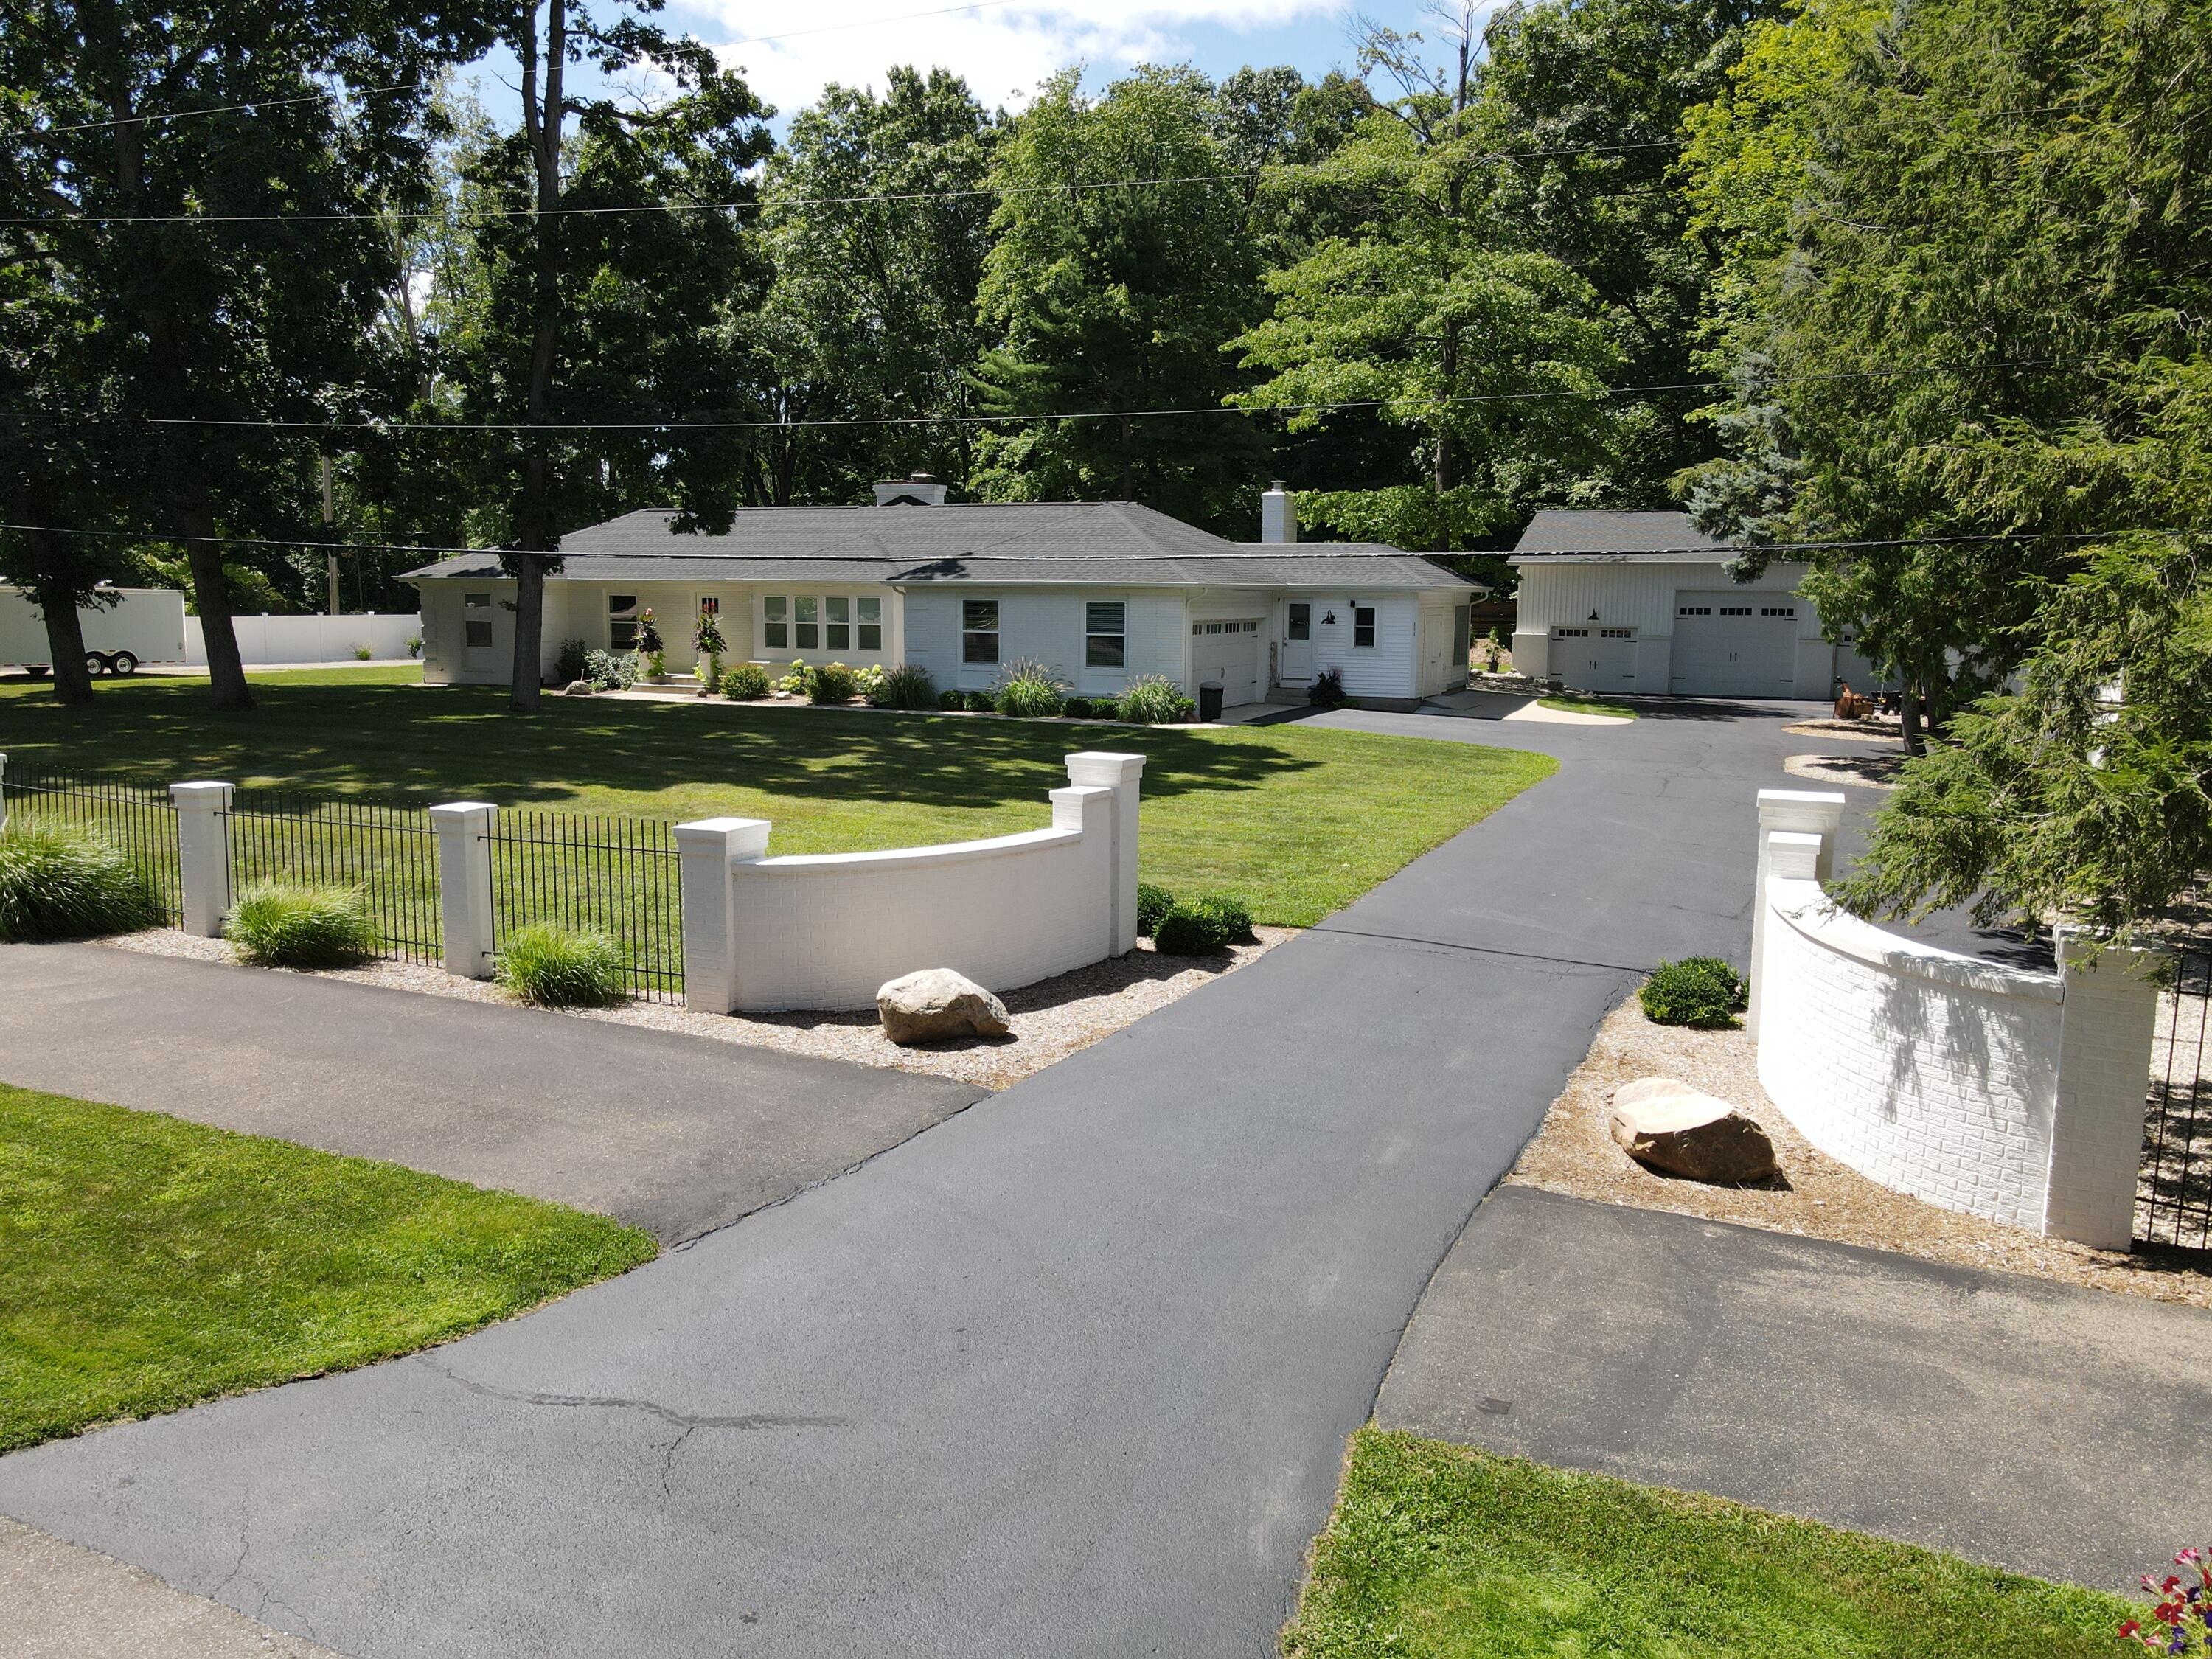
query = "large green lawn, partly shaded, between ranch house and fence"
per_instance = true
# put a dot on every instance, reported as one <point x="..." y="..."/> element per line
<point x="1297" y="822"/>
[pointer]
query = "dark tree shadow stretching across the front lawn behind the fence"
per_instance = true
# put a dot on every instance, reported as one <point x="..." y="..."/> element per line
<point x="415" y="747"/>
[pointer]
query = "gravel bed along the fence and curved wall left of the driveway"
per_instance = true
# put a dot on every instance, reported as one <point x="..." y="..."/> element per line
<point x="1052" y="1019"/>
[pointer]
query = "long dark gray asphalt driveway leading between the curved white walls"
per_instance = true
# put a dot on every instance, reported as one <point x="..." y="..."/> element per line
<point x="1072" y="1373"/>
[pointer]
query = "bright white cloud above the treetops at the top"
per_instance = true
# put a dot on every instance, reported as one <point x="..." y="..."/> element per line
<point x="1001" y="50"/>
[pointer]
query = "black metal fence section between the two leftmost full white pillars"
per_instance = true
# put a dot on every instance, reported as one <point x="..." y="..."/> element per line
<point x="390" y="855"/>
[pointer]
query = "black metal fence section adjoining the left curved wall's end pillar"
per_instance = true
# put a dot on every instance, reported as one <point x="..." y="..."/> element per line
<point x="616" y="877"/>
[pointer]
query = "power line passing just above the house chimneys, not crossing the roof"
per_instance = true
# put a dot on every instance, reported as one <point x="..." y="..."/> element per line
<point x="1072" y="415"/>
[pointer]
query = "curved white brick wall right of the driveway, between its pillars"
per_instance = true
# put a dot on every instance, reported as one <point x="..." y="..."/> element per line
<point x="1930" y="1072"/>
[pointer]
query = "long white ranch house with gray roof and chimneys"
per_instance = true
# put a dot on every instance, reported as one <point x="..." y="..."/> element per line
<point x="1103" y="592"/>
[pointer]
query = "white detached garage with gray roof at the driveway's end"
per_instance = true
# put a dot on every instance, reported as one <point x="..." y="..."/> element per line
<point x="1642" y="603"/>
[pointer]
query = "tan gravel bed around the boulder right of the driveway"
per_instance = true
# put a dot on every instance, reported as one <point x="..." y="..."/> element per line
<point x="1815" y="1198"/>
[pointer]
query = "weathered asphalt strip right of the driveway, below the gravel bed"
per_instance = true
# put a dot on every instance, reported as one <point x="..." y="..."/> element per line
<point x="2007" y="1419"/>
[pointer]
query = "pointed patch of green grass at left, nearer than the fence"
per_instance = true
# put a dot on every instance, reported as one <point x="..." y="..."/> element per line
<point x="147" y="1262"/>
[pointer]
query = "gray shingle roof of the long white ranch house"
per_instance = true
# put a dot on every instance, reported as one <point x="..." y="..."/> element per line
<point x="1010" y="543"/>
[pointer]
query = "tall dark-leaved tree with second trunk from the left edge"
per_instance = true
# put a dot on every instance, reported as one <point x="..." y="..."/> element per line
<point x="198" y="311"/>
